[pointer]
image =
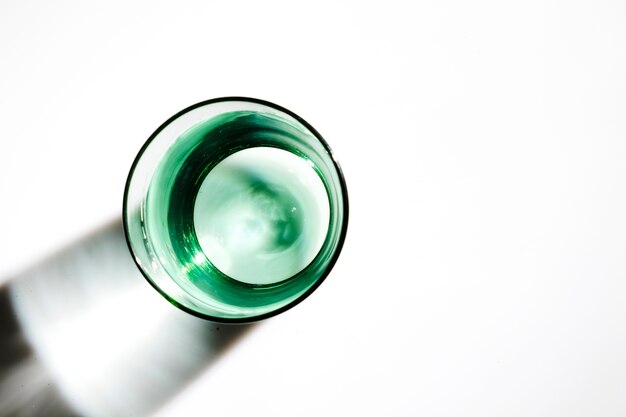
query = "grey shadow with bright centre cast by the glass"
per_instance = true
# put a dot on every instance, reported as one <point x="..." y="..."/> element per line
<point x="83" y="334"/>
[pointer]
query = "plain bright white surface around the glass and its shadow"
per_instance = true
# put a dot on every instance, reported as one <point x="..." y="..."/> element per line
<point x="484" y="146"/>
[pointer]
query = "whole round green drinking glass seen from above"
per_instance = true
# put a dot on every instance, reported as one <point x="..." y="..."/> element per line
<point x="235" y="209"/>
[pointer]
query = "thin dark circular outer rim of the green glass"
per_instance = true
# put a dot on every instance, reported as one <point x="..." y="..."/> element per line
<point x="340" y="240"/>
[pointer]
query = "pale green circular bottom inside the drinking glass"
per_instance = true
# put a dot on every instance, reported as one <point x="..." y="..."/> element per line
<point x="261" y="215"/>
